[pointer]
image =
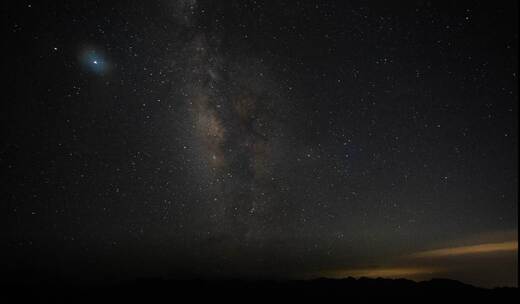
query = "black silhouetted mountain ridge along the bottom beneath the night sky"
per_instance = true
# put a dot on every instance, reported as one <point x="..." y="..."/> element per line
<point x="172" y="291"/>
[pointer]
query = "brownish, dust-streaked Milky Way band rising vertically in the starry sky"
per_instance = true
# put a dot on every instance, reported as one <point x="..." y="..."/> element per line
<point x="233" y="118"/>
